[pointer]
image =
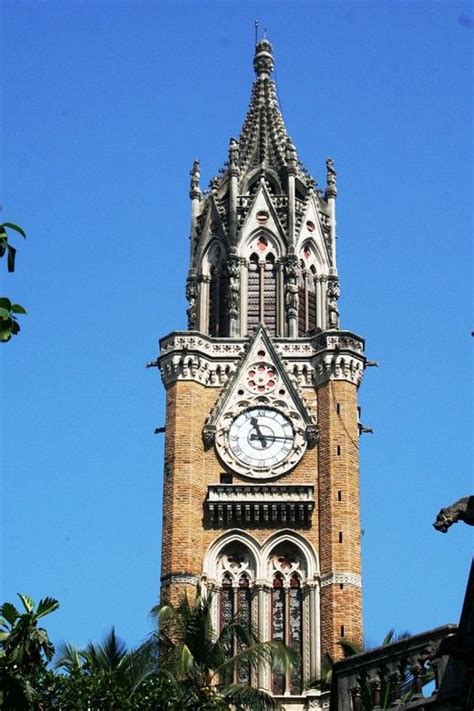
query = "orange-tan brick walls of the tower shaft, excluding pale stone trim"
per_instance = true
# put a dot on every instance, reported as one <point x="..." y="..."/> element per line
<point x="189" y="469"/>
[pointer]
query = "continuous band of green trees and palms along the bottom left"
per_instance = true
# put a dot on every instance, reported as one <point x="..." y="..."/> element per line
<point x="183" y="664"/>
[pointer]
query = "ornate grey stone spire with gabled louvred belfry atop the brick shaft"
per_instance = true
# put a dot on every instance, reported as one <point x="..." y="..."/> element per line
<point x="263" y="237"/>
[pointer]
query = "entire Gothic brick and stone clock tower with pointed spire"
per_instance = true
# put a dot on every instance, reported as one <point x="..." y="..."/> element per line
<point x="261" y="475"/>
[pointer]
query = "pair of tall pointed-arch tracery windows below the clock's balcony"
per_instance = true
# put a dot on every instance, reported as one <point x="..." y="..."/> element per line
<point x="272" y="585"/>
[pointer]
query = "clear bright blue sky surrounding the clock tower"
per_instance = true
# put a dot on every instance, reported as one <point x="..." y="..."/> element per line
<point x="104" y="107"/>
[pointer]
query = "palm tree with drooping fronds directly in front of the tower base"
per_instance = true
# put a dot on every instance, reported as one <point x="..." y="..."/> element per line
<point x="209" y="670"/>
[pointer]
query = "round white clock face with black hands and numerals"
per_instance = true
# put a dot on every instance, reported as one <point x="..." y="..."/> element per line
<point x="261" y="437"/>
